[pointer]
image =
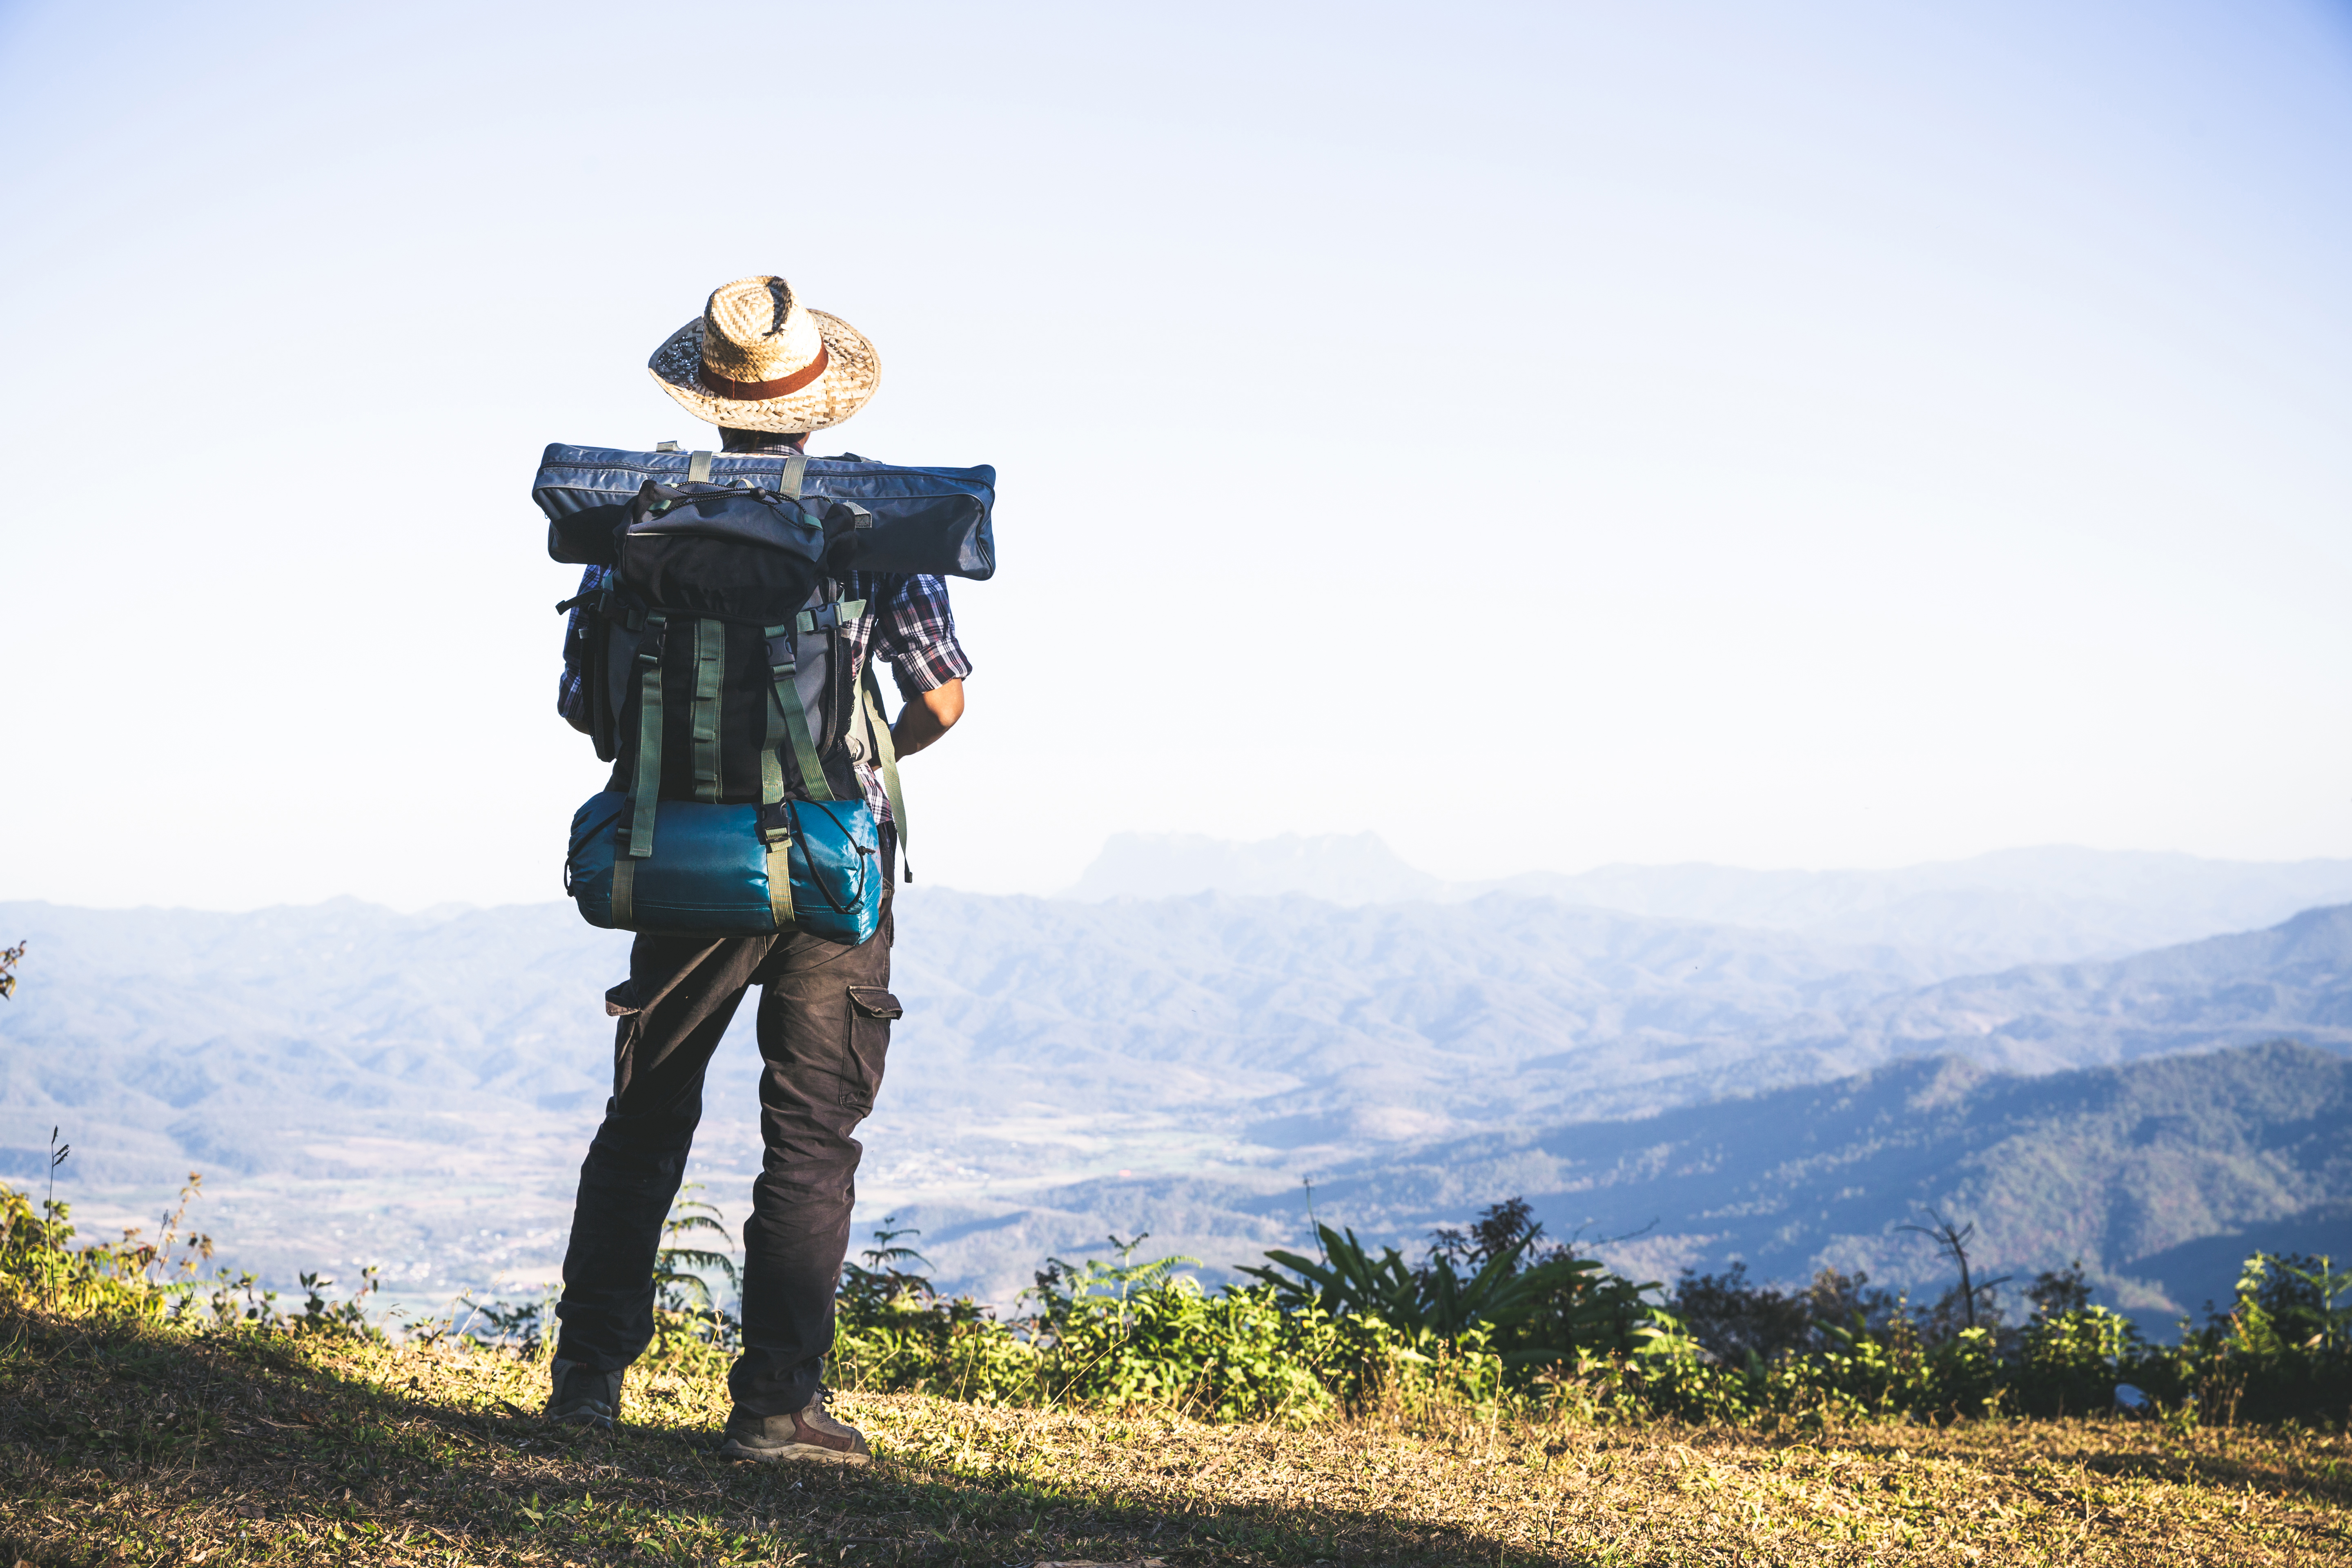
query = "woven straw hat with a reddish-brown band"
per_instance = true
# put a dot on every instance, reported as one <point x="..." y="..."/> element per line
<point x="761" y="361"/>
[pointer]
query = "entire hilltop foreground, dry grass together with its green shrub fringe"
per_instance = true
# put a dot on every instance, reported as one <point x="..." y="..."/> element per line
<point x="1347" y="1409"/>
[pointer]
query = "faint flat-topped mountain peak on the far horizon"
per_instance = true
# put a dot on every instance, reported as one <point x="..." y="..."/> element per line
<point x="1330" y="866"/>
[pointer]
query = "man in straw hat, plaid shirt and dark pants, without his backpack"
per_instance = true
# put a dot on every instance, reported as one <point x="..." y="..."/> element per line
<point x="768" y="373"/>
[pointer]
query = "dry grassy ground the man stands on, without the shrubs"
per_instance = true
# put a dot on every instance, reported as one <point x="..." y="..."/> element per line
<point x="140" y="1447"/>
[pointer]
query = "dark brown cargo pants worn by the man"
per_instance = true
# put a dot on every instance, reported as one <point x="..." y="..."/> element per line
<point x="824" y="1028"/>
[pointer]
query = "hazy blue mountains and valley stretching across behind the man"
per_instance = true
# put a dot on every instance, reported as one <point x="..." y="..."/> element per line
<point x="417" y="1087"/>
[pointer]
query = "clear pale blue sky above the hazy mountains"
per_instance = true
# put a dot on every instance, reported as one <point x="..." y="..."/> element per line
<point x="1546" y="436"/>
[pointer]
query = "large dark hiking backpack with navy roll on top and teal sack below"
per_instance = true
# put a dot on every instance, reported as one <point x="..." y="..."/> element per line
<point x="711" y="648"/>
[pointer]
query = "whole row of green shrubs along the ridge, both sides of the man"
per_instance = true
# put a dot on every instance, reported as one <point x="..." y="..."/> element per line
<point x="1497" y="1325"/>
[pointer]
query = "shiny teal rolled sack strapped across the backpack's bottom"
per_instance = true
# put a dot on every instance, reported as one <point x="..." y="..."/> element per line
<point x="714" y="869"/>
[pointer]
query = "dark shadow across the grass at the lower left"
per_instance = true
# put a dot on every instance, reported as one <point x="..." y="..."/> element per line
<point x="138" y="1445"/>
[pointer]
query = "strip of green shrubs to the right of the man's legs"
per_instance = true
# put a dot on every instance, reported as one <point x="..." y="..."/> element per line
<point x="1495" y="1318"/>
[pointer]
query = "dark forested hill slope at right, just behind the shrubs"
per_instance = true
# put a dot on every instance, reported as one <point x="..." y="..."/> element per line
<point x="2158" y="1174"/>
